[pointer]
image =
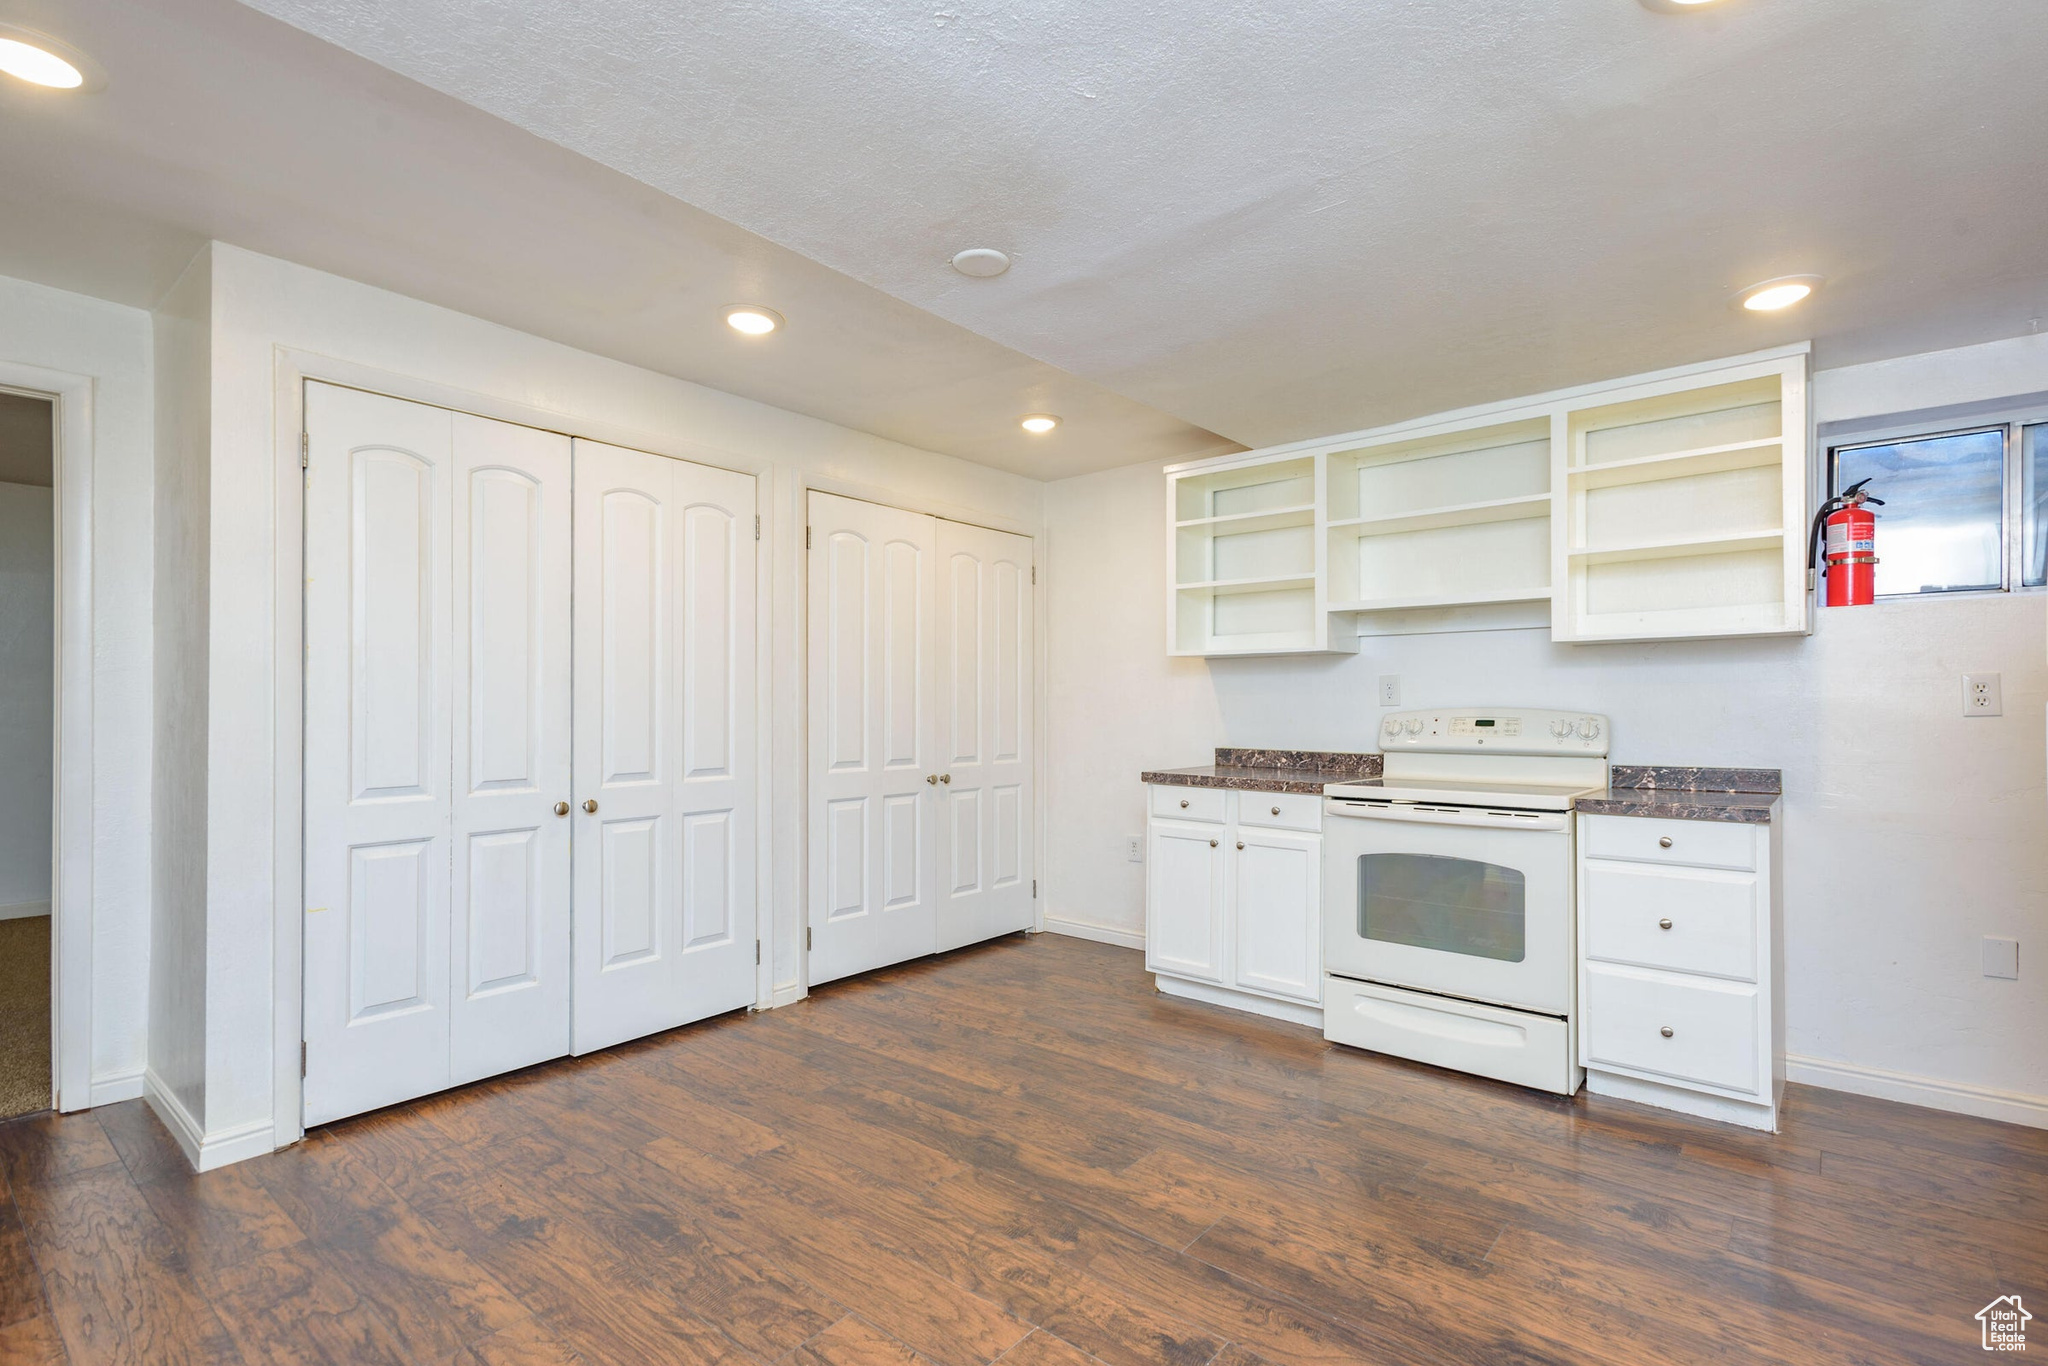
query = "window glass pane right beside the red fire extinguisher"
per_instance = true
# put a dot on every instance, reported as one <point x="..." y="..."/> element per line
<point x="1938" y="529"/>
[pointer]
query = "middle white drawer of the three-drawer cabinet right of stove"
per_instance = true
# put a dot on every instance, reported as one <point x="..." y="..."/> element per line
<point x="1689" y="921"/>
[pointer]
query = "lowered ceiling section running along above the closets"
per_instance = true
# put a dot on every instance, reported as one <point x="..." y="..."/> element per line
<point x="220" y="122"/>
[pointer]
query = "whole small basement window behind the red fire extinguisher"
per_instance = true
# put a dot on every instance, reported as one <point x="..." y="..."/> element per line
<point x="1965" y="509"/>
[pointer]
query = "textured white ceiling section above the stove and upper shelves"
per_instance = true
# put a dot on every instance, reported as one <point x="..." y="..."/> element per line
<point x="1279" y="222"/>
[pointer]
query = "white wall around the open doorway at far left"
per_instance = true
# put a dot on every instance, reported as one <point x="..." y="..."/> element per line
<point x="69" y="333"/>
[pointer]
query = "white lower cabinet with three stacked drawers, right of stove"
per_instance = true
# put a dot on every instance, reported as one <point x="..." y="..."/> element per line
<point x="1678" y="966"/>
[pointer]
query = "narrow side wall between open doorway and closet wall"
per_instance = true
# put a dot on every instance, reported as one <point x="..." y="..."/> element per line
<point x="183" y="331"/>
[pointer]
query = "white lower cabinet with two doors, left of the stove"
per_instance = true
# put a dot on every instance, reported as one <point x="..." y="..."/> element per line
<point x="1232" y="904"/>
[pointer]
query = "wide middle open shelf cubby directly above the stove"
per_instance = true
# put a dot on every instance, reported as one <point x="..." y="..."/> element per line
<point x="1441" y="521"/>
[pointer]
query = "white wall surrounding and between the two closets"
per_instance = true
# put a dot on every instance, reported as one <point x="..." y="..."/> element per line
<point x="261" y="306"/>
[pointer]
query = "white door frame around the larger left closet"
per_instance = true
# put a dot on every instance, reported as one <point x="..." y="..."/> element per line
<point x="292" y="370"/>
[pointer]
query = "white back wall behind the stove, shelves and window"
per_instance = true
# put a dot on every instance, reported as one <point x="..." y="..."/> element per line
<point x="1910" y="830"/>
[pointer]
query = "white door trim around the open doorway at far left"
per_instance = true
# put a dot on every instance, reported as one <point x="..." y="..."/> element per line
<point x="71" y="876"/>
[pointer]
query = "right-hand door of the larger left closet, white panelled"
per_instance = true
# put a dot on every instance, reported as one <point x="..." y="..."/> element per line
<point x="665" y="744"/>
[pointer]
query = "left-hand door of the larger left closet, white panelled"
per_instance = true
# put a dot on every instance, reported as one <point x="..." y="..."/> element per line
<point x="437" y="744"/>
